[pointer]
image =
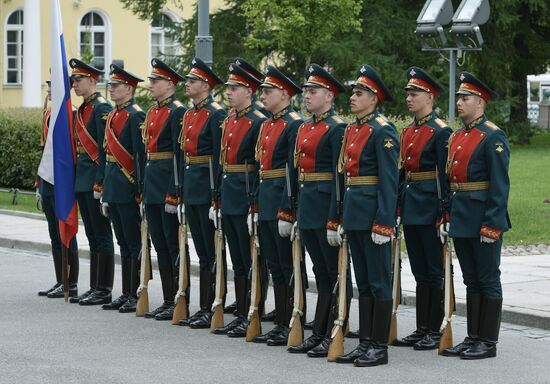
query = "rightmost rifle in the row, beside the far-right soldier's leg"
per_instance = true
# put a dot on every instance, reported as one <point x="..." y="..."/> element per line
<point x="446" y="339"/>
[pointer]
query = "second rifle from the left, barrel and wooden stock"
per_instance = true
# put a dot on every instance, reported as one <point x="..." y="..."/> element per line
<point x="181" y="309"/>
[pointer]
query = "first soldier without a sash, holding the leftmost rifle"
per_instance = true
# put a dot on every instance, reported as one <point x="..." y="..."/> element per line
<point x="160" y="132"/>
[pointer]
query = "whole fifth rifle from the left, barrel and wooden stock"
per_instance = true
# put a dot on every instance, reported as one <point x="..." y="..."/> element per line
<point x="296" y="334"/>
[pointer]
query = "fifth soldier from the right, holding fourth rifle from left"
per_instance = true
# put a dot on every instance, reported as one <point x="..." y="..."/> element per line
<point x="274" y="152"/>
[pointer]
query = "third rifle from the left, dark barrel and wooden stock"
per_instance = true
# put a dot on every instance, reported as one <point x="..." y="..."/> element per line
<point x="217" y="305"/>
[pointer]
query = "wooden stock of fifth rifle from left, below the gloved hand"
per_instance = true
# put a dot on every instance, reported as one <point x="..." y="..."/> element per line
<point x="296" y="335"/>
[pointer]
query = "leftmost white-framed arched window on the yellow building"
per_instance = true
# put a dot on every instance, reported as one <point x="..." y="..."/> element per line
<point x="14" y="48"/>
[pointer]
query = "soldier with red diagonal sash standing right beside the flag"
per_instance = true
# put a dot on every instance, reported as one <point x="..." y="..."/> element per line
<point x="90" y="167"/>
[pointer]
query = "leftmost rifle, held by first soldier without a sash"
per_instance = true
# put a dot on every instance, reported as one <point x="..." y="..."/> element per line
<point x="142" y="306"/>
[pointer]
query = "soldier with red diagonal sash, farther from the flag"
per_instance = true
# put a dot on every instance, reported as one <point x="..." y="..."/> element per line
<point x="124" y="153"/>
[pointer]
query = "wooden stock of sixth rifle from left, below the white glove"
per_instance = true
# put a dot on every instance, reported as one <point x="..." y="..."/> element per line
<point x="336" y="346"/>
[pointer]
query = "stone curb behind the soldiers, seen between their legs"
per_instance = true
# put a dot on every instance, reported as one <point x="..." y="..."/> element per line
<point x="509" y="314"/>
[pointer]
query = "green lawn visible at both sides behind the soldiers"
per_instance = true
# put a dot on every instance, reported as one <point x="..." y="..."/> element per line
<point x="530" y="185"/>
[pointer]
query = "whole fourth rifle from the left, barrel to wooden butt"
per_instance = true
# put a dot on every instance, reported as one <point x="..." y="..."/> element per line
<point x="254" y="325"/>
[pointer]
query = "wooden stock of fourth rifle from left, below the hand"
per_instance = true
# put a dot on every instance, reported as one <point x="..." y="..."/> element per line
<point x="254" y="325"/>
